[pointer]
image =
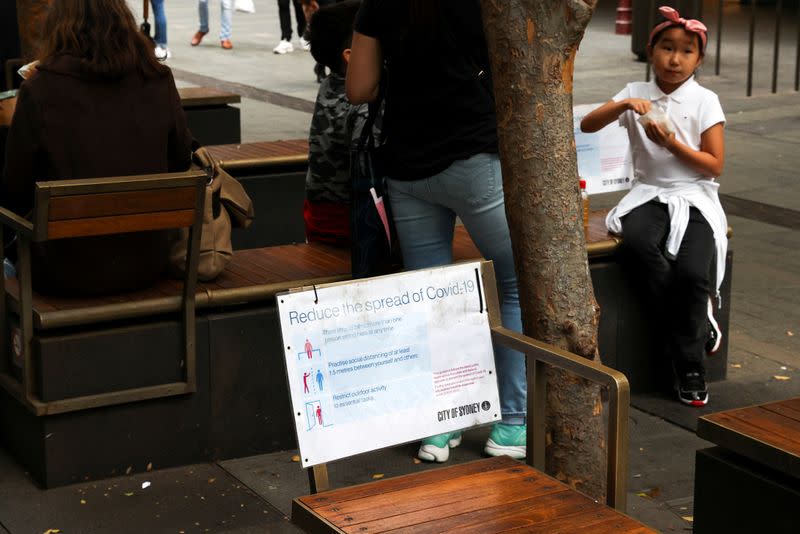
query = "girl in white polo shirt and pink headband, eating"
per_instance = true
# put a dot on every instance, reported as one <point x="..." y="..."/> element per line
<point x="672" y="220"/>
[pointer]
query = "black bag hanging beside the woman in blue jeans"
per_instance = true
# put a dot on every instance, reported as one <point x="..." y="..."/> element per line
<point x="373" y="252"/>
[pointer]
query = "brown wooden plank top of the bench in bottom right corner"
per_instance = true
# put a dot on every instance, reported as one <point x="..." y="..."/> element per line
<point x="768" y="433"/>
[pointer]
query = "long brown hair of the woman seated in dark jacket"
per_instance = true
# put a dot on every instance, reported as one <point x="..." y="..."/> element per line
<point x="102" y="34"/>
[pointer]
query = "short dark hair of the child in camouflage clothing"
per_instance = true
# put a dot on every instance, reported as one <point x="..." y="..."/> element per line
<point x="331" y="32"/>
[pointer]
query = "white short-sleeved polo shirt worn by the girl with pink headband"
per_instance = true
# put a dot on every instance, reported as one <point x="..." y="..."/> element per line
<point x="692" y="108"/>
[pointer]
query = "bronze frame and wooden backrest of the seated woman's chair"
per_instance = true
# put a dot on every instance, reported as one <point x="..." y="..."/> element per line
<point x="99" y="207"/>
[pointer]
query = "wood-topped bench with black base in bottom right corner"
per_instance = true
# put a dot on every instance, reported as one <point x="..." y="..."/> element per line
<point x="749" y="482"/>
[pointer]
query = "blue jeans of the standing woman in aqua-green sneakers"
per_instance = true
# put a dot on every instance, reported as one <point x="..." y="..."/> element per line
<point x="425" y="212"/>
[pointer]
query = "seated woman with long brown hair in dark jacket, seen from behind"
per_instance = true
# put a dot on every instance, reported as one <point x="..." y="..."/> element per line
<point x="99" y="105"/>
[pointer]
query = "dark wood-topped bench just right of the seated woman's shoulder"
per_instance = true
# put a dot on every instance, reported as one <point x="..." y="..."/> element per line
<point x="210" y="115"/>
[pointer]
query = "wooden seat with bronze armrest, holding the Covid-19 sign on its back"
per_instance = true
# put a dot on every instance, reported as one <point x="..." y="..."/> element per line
<point x="492" y="495"/>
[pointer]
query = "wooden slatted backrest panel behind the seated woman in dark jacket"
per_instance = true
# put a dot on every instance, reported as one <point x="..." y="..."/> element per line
<point x="105" y="206"/>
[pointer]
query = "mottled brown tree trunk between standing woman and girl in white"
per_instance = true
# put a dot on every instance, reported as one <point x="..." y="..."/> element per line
<point x="532" y="45"/>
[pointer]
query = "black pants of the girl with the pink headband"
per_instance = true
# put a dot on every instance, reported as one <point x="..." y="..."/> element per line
<point x="677" y="290"/>
